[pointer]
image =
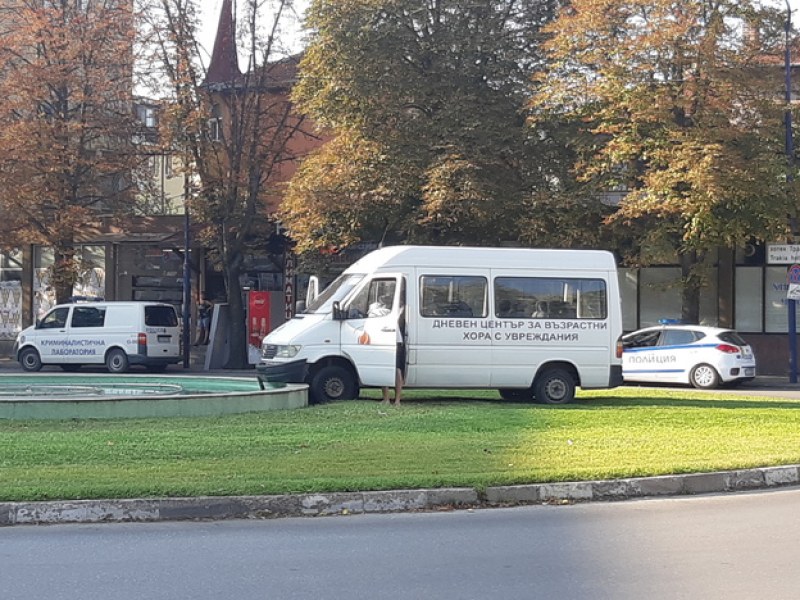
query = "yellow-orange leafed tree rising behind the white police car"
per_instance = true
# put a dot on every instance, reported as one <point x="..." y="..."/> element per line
<point x="679" y="104"/>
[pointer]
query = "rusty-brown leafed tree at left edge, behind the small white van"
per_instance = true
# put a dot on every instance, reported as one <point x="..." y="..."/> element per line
<point x="66" y="124"/>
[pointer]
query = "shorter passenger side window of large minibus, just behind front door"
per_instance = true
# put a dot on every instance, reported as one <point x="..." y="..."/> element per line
<point x="453" y="296"/>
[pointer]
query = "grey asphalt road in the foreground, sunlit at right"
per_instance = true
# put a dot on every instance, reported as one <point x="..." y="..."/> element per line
<point x="724" y="546"/>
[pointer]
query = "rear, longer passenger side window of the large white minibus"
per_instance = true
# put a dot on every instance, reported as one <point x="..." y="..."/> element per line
<point x="550" y="298"/>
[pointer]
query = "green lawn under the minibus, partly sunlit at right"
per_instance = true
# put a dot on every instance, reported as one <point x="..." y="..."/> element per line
<point x="435" y="439"/>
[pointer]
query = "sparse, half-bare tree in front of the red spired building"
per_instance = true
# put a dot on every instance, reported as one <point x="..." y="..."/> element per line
<point x="236" y="131"/>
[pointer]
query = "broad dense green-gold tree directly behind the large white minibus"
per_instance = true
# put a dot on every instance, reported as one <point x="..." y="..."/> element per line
<point x="425" y="105"/>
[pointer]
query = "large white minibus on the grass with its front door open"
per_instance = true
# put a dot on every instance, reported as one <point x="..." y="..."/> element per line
<point x="533" y="324"/>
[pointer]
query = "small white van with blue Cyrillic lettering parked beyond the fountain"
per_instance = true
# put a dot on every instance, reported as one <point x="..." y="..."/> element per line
<point x="114" y="334"/>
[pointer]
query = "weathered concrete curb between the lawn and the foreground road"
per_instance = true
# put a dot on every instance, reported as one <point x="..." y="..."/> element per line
<point x="343" y="503"/>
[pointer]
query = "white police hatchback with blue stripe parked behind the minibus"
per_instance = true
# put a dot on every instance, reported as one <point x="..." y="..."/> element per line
<point x="704" y="357"/>
